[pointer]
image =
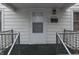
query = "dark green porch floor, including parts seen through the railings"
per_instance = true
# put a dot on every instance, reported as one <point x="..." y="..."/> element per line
<point x="38" y="49"/>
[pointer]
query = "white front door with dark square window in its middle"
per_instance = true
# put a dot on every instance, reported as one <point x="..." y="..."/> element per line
<point x="38" y="30"/>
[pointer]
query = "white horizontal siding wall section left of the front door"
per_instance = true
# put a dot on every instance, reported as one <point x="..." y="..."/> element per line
<point x="14" y="20"/>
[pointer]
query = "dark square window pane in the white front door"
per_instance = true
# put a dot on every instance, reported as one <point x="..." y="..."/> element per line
<point x="37" y="27"/>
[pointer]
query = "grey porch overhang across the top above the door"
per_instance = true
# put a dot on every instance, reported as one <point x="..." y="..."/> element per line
<point x="18" y="6"/>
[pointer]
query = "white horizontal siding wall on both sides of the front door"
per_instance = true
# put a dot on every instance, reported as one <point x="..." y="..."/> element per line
<point x="20" y="22"/>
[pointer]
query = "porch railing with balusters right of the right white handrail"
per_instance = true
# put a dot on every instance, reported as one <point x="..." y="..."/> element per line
<point x="71" y="39"/>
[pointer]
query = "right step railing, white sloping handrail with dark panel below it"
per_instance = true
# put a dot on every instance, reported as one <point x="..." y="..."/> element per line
<point x="61" y="47"/>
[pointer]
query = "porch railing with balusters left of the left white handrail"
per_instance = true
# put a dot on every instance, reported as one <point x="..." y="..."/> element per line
<point x="6" y="40"/>
